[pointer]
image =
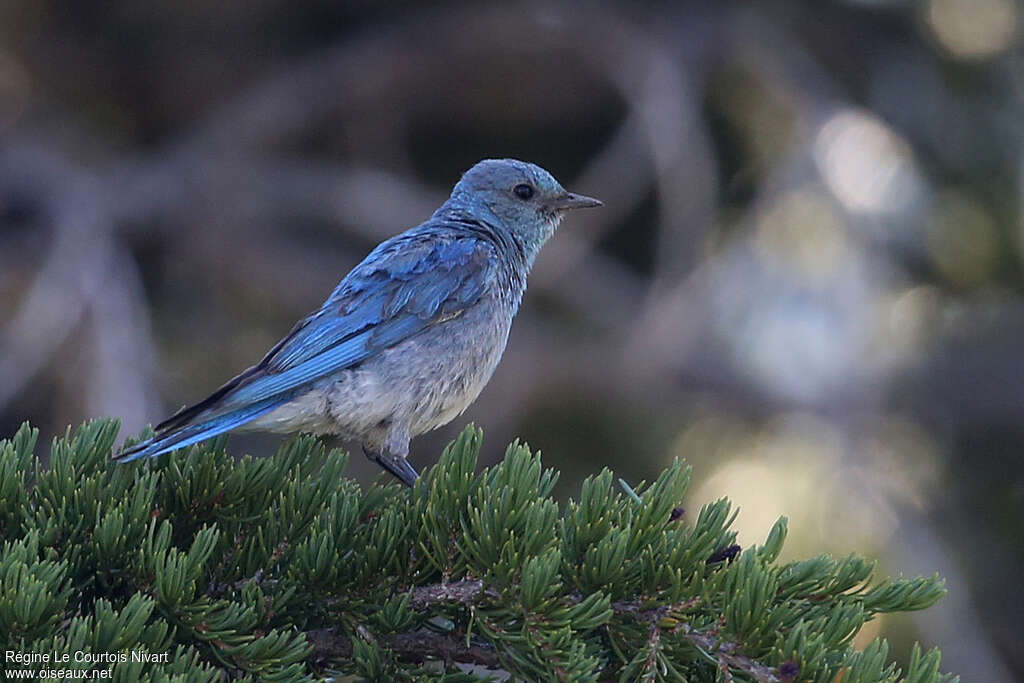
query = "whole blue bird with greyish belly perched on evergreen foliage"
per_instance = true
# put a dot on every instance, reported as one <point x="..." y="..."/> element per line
<point x="408" y="339"/>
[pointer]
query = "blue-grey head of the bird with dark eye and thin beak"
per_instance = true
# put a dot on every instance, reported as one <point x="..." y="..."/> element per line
<point x="519" y="198"/>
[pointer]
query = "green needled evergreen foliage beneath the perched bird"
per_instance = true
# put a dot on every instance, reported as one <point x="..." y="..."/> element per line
<point x="281" y="570"/>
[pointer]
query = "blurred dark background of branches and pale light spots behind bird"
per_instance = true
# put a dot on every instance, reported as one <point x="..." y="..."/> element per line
<point x="806" y="278"/>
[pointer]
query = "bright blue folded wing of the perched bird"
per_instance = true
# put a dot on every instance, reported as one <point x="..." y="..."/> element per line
<point x="407" y="285"/>
